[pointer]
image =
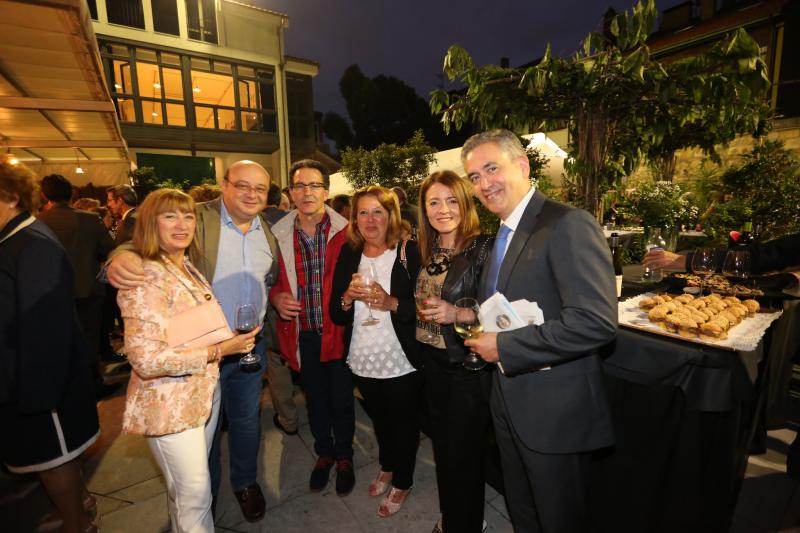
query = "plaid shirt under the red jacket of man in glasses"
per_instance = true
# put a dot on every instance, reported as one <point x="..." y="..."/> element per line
<point x="309" y="262"/>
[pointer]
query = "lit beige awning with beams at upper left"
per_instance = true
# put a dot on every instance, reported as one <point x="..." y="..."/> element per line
<point x="56" y="112"/>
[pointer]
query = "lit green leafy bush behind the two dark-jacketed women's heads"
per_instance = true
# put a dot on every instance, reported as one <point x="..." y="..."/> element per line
<point x="390" y="165"/>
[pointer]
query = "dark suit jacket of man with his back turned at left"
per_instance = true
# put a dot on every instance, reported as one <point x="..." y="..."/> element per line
<point x="87" y="243"/>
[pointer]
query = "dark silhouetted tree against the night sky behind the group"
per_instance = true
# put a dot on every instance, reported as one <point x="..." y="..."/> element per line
<point x="382" y="110"/>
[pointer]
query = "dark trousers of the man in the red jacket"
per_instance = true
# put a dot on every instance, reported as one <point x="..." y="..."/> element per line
<point x="329" y="399"/>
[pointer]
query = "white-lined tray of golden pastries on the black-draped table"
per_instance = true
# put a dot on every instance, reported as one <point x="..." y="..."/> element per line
<point x="714" y="319"/>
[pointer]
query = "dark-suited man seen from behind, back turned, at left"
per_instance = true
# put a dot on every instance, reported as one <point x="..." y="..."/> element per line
<point x="87" y="243"/>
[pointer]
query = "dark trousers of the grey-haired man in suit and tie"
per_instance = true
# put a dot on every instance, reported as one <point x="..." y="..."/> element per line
<point x="544" y="492"/>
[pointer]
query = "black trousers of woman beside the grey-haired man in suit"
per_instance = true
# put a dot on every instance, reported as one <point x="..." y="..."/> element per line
<point x="459" y="414"/>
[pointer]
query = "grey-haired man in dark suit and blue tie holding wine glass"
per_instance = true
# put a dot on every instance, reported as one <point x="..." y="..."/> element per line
<point x="548" y="404"/>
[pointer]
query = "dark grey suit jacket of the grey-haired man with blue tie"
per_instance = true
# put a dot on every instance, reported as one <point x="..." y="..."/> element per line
<point x="559" y="259"/>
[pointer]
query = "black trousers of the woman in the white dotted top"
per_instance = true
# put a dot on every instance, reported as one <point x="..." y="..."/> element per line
<point x="394" y="405"/>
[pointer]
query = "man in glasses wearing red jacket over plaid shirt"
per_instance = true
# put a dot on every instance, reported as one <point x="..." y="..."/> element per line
<point x="310" y="238"/>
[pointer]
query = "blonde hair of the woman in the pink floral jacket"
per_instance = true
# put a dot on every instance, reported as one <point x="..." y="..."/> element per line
<point x="145" y="234"/>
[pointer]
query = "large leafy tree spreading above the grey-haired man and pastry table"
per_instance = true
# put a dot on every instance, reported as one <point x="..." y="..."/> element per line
<point x="621" y="106"/>
